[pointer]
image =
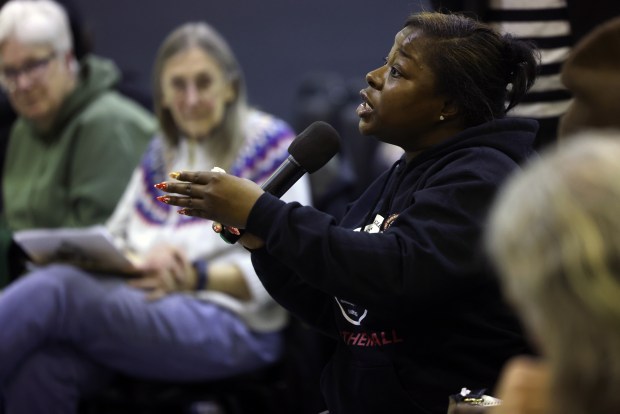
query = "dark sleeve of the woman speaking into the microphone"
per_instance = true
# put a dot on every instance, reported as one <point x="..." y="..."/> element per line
<point x="420" y="257"/>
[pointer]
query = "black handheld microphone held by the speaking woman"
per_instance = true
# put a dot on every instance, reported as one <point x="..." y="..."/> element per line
<point x="308" y="152"/>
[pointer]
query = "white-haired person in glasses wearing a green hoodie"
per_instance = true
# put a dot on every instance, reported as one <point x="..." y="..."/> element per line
<point x="75" y="138"/>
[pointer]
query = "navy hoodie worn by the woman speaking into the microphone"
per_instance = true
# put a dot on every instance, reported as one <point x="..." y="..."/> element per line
<point x="415" y="308"/>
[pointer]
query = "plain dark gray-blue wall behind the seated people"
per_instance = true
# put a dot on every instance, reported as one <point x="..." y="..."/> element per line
<point x="277" y="41"/>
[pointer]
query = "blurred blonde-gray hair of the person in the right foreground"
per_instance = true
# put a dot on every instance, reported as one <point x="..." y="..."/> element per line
<point x="554" y="235"/>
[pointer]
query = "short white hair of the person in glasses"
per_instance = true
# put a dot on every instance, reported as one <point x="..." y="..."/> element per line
<point x="36" y="22"/>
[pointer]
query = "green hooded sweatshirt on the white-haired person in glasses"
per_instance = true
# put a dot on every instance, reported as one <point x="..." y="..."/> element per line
<point x="73" y="174"/>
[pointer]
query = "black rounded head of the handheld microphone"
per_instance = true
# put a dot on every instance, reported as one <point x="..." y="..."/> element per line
<point x="315" y="145"/>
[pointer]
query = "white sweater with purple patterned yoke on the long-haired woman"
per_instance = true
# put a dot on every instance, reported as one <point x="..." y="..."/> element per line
<point x="140" y="222"/>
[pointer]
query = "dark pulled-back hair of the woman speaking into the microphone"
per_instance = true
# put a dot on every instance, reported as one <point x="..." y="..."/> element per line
<point x="484" y="72"/>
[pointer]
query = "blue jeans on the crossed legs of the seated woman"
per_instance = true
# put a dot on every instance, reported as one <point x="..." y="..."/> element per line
<point x="64" y="331"/>
